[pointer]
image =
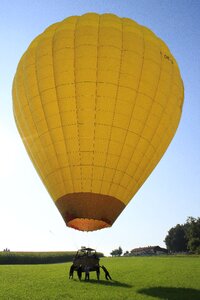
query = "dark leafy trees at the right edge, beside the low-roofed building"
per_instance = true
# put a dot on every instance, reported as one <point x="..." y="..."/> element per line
<point x="184" y="237"/>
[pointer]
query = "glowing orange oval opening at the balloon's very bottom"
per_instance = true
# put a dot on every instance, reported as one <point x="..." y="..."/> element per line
<point x="87" y="224"/>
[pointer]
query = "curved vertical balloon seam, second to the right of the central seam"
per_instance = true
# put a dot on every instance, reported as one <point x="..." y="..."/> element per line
<point x="132" y="111"/>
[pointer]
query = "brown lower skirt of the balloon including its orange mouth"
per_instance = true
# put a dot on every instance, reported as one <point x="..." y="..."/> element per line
<point x="87" y="211"/>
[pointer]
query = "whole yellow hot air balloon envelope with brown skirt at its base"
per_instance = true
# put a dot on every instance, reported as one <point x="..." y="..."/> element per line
<point x="97" y="100"/>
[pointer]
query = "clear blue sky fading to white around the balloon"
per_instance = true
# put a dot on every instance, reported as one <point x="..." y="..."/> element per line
<point x="29" y="220"/>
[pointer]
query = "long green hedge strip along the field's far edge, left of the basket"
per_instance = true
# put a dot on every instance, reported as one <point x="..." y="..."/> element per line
<point x="35" y="257"/>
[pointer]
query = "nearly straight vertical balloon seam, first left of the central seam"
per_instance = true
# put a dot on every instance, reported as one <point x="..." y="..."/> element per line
<point x="78" y="133"/>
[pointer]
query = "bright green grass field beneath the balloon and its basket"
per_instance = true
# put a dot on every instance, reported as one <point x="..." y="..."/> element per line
<point x="172" y="278"/>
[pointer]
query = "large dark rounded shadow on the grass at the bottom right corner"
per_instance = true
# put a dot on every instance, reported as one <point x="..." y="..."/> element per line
<point x="171" y="293"/>
